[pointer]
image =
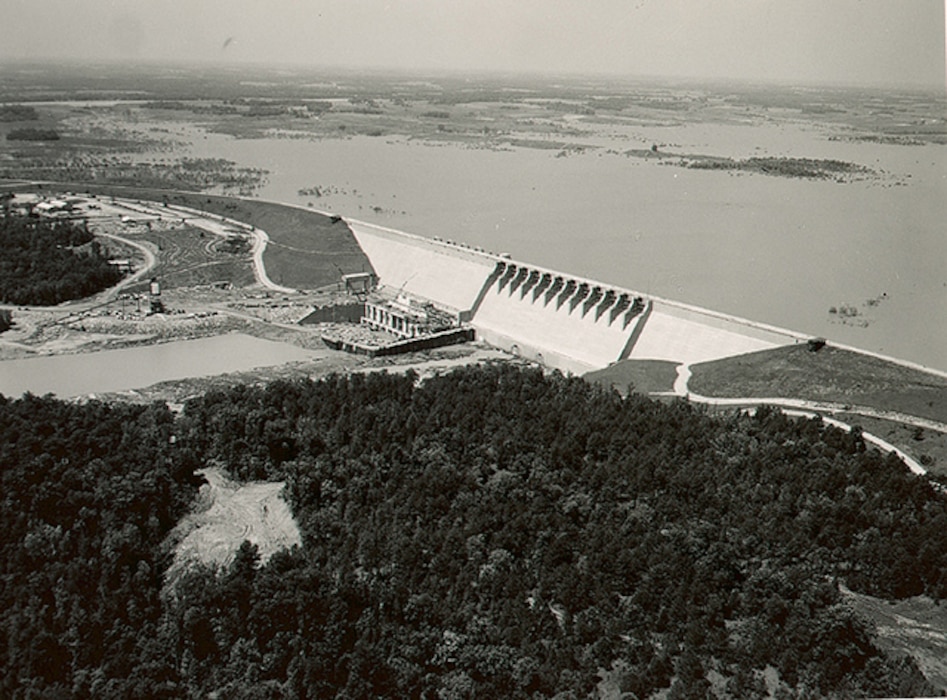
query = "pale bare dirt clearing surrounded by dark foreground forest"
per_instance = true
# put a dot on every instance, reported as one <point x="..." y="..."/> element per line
<point x="229" y="512"/>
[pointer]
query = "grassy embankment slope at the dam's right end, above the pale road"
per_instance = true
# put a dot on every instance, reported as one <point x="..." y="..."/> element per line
<point x="830" y="375"/>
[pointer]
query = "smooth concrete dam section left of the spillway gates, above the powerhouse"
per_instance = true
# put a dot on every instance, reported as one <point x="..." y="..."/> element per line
<point x="446" y="274"/>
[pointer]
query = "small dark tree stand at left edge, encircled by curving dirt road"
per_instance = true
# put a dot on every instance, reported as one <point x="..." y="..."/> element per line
<point x="46" y="261"/>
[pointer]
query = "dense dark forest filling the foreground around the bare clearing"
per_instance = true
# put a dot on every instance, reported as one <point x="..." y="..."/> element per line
<point x="491" y="532"/>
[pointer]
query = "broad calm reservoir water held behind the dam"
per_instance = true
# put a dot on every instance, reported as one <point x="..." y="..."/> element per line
<point x="777" y="250"/>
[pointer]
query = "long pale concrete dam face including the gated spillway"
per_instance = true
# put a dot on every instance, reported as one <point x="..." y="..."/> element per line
<point x="560" y="320"/>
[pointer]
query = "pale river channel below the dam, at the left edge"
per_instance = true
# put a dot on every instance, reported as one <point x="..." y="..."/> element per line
<point x="132" y="368"/>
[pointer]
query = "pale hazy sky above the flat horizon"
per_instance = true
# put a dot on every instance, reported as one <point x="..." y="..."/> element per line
<point x="858" y="42"/>
